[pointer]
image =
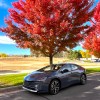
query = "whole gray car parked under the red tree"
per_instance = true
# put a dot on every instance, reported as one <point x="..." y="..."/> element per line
<point x="53" y="79"/>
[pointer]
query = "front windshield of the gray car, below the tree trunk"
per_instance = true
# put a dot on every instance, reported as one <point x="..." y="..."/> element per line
<point x="54" y="67"/>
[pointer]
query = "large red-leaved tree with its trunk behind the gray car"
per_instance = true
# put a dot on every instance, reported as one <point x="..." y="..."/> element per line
<point x="48" y="25"/>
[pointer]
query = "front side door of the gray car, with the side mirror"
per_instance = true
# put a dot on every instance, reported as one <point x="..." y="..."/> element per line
<point x="65" y="75"/>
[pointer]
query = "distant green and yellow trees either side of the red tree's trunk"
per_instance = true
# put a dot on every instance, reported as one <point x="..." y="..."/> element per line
<point x="70" y="54"/>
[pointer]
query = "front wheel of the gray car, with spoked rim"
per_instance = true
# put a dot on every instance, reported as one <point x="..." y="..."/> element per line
<point x="54" y="87"/>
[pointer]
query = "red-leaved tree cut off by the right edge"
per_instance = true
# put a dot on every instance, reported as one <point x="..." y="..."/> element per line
<point x="92" y="41"/>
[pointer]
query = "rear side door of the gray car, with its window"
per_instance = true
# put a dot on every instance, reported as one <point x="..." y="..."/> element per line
<point x="75" y="73"/>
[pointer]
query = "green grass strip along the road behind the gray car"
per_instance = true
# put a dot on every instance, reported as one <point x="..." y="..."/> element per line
<point x="17" y="79"/>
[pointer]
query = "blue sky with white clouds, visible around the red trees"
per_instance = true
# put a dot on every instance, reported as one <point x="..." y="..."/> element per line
<point x="7" y="45"/>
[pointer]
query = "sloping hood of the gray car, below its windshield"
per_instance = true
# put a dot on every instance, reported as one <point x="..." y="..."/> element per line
<point x="38" y="75"/>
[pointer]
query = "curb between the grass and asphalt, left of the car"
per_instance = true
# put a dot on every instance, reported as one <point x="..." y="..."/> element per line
<point x="10" y="89"/>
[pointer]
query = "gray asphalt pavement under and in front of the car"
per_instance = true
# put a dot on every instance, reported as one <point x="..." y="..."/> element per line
<point x="90" y="91"/>
